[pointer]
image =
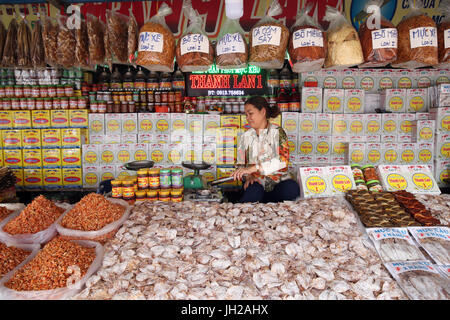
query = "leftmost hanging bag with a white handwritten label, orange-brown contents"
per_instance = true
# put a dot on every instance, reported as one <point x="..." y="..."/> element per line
<point x="156" y="48"/>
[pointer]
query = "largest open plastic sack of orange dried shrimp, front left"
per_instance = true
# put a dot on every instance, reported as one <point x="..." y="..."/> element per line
<point x="65" y="269"/>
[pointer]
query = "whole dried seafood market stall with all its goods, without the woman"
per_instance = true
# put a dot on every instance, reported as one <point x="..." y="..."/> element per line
<point x="121" y="129"/>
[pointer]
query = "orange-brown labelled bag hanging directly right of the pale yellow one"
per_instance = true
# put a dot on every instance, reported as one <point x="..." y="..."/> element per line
<point x="379" y="45"/>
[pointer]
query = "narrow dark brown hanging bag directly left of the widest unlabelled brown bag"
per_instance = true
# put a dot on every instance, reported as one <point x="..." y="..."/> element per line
<point x="96" y="34"/>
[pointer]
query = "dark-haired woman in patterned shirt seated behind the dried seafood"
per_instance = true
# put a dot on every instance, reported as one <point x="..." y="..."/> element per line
<point x="264" y="151"/>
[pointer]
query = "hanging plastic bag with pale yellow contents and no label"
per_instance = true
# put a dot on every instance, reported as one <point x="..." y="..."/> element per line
<point x="344" y="48"/>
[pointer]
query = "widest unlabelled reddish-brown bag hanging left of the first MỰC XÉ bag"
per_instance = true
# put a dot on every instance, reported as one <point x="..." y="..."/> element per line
<point x="117" y="30"/>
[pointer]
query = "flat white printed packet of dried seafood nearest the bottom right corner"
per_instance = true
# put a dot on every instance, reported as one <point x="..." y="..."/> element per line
<point x="420" y="280"/>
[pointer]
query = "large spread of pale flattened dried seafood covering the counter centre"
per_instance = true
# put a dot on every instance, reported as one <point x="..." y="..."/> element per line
<point x="309" y="249"/>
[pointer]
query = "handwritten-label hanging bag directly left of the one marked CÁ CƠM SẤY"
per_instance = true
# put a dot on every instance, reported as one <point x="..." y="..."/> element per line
<point x="231" y="47"/>
